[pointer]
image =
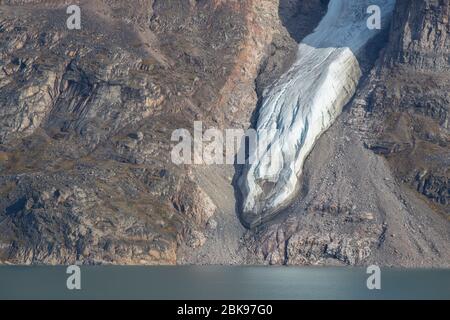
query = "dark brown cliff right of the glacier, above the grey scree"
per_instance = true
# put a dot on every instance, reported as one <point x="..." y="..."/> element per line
<point x="408" y="96"/>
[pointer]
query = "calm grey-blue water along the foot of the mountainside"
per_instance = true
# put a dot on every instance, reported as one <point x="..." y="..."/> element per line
<point x="221" y="283"/>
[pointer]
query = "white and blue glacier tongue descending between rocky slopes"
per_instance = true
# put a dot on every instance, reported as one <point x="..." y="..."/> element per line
<point x="304" y="103"/>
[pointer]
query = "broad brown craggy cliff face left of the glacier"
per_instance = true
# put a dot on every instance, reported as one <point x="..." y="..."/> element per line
<point x="86" y="118"/>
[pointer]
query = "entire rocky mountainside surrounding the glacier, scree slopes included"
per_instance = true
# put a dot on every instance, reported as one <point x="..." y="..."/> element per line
<point x="86" y="117"/>
